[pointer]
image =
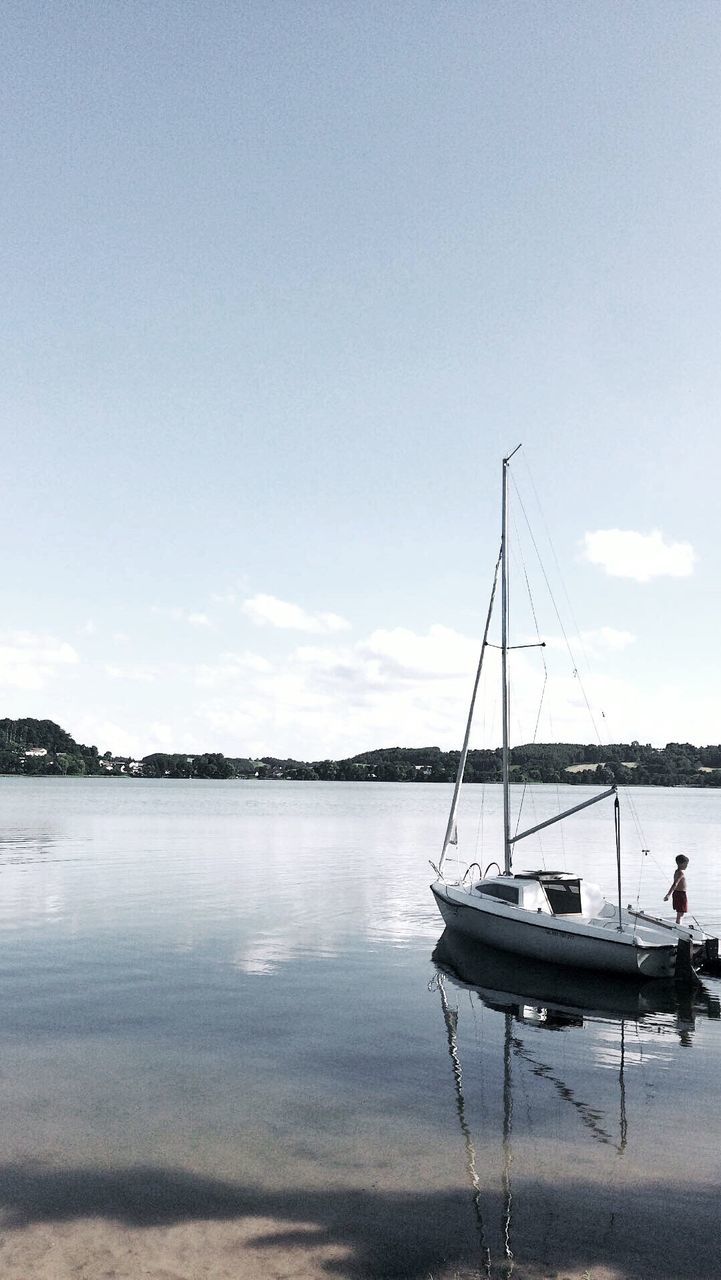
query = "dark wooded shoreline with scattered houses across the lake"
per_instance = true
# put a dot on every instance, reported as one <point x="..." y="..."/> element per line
<point x="33" y="747"/>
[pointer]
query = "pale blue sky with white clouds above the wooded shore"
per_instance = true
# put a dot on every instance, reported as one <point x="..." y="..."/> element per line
<point x="282" y="285"/>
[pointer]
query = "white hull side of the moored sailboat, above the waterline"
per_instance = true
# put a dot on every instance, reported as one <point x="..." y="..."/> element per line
<point x="556" y="941"/>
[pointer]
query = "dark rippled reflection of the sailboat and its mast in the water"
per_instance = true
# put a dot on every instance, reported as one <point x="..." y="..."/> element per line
<point x="551" y="999"/>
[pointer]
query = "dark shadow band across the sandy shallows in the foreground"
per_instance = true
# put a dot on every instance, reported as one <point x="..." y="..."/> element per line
<point x="394" y="1236"/>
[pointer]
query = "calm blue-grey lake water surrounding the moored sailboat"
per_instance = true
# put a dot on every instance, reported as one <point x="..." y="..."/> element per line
<point x="226" y="1002"/>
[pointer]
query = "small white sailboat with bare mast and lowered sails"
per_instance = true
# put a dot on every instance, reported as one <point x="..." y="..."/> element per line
<point x="550" y="916"/>
